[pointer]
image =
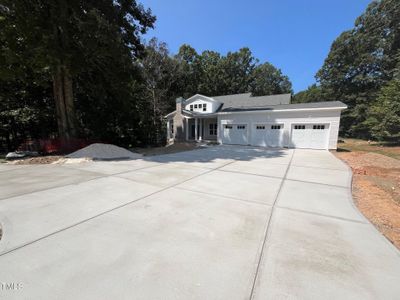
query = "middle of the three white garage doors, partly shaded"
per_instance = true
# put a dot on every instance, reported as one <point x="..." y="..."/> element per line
<point x="267" y="135"/>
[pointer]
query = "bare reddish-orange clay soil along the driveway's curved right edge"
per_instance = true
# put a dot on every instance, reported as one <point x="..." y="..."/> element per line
<point x="376" y="190"/>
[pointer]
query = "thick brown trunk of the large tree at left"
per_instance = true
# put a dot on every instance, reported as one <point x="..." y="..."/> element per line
<point x="63" y="96"/>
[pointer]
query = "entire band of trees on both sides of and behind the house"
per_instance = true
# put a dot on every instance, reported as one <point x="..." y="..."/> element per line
<point x="82" y="69"/>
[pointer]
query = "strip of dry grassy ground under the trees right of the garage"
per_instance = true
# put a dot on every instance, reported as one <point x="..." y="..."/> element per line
<point x="352" y="145"/>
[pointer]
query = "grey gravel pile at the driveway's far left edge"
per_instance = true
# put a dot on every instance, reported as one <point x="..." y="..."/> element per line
<point x="103" y="152"/>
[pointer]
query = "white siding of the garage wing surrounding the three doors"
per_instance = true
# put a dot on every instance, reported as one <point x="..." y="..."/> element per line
<point x="287" y="118"/>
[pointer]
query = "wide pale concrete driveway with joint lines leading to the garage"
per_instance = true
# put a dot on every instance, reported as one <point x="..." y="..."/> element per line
<point x="218" y="223"/>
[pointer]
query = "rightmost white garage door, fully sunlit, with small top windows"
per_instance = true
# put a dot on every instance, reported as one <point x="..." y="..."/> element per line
<point x="312" y="136"/>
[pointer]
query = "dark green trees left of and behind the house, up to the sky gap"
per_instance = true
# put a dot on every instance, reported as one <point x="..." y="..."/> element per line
<point x="81" y="69"/>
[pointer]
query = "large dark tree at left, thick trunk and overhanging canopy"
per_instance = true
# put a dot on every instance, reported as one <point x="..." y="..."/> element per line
<point x="69" y="37"/>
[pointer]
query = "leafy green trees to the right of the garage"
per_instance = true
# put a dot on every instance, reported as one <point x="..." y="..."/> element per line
<point x="363" y="70"/>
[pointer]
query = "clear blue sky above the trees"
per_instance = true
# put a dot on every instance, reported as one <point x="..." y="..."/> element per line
<point x="293" y="35"/>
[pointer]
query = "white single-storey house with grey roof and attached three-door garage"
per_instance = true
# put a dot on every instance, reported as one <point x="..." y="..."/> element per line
<point x="267" y="121"/>
